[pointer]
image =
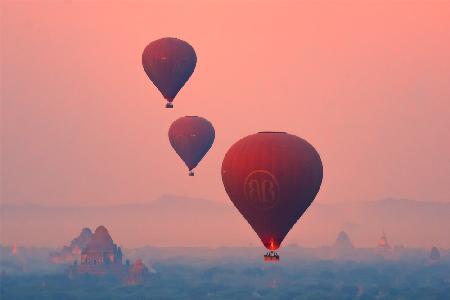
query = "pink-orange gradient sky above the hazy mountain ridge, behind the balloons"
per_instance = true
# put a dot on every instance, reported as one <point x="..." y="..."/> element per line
<point x="366" y="82"/>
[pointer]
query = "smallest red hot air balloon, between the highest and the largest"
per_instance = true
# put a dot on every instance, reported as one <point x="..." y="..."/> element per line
<point x="191" y="137"/>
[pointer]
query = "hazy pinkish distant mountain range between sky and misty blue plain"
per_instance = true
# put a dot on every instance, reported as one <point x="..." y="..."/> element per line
<point x="181" y="221"/>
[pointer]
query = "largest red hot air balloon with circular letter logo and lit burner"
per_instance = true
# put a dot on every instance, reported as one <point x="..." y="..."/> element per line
<point x="272" y="178"/>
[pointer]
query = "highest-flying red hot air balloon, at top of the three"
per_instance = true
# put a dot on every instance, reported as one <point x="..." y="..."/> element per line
<point x="169" y="62"/>
